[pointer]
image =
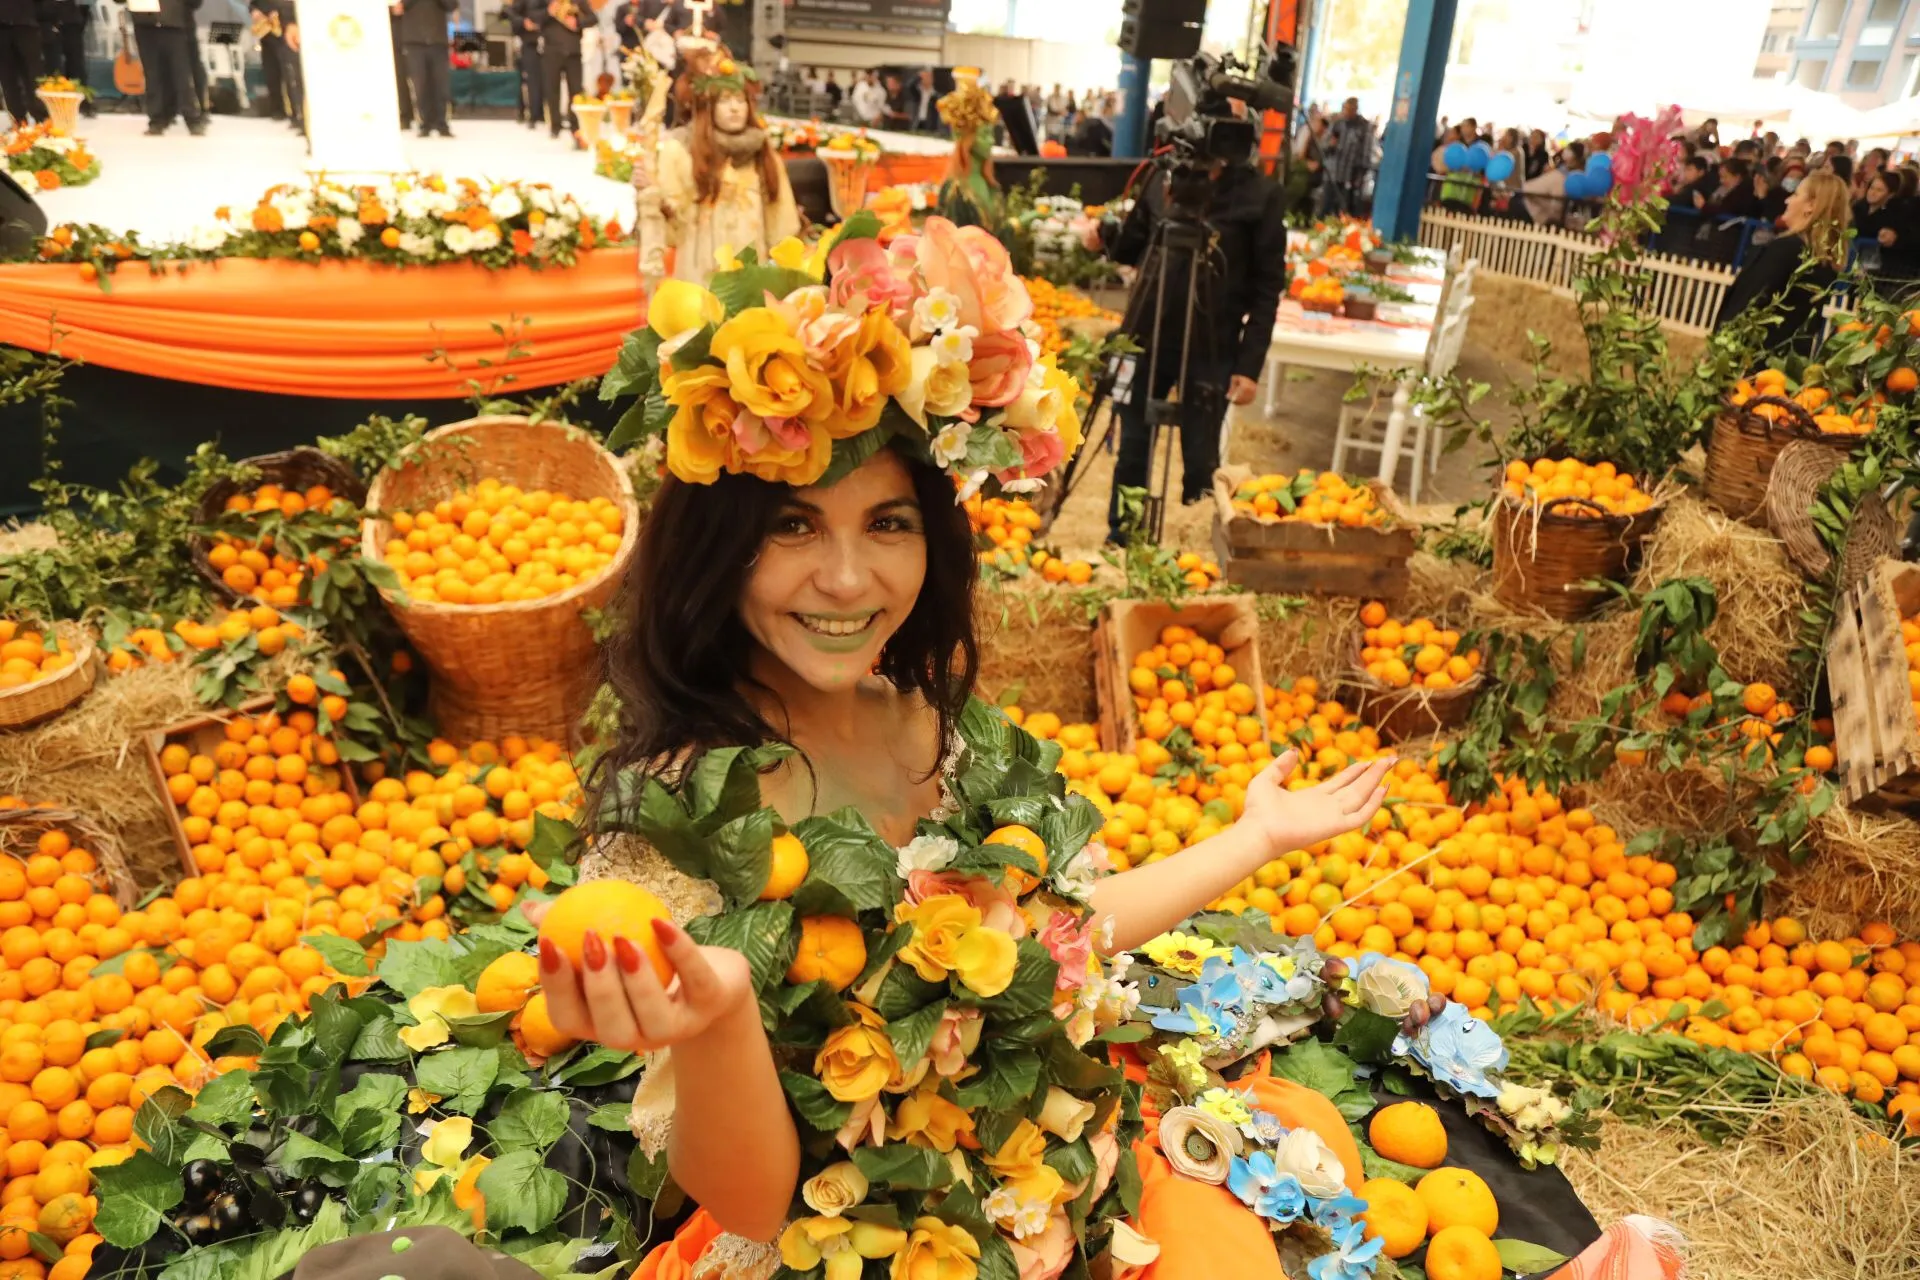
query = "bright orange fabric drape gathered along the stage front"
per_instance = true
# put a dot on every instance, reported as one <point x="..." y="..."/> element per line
<point x="331" y="329"/>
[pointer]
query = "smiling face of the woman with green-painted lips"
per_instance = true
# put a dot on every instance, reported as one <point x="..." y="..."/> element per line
<point x="838" y="575"/>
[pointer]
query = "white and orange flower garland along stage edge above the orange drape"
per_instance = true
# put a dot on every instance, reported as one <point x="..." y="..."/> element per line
<point x="408" y="222"/>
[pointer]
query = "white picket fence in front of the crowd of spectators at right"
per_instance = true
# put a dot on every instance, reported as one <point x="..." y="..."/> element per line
<point x="1685" y="293"/>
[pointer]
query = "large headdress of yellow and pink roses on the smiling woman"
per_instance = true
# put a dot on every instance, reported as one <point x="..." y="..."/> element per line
<point x="802" y="369"/>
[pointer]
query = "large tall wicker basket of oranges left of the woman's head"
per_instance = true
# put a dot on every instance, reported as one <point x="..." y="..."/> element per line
<point x="521" y="667"/>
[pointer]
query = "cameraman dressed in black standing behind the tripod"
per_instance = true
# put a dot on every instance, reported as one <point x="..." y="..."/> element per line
<point x="1234" y="318"/>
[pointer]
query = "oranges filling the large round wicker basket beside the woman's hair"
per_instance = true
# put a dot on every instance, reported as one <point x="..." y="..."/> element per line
<point x="494" y="544"/>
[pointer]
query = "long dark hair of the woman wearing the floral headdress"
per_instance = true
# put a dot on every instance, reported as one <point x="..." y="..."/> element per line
<point x="679" y="661"/>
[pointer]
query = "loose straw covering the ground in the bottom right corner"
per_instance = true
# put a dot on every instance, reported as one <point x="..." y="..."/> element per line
<point x="1812" y="1193"/>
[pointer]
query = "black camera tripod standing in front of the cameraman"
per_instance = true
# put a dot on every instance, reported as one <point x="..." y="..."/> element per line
<point x="1180" y="249"/>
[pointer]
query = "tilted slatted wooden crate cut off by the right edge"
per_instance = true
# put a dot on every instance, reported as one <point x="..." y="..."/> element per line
<point x="1877" y="734"/>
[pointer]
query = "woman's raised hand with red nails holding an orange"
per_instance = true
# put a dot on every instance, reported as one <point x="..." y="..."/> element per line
<point x="617" y="1001"/>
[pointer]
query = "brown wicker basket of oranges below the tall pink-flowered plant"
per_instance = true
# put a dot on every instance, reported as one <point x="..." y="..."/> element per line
<point x="1543" y="556"/>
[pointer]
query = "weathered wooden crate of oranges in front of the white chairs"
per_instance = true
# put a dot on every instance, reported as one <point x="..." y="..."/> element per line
<point x="1289" y="557"/>
